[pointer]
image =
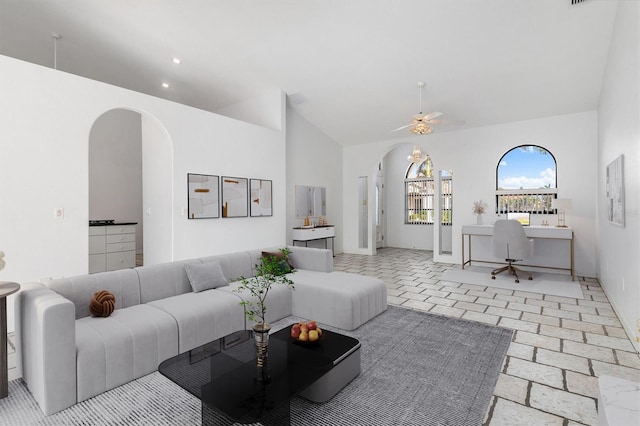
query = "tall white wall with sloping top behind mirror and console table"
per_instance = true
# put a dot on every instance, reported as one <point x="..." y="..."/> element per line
<point x="313" y="159"/>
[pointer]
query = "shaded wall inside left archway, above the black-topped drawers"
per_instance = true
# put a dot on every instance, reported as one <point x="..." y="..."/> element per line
<point x="115" y="169"/>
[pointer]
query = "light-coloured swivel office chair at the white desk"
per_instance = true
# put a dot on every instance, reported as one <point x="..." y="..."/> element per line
<point x="511" y="244"/>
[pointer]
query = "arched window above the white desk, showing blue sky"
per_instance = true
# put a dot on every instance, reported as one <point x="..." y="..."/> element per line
<point x="526" y="180"/>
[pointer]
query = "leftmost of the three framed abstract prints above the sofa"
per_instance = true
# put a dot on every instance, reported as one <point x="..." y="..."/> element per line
<point x="203" y="196"/>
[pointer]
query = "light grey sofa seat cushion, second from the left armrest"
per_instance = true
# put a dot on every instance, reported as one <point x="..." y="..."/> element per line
<point x="203" y="317"/>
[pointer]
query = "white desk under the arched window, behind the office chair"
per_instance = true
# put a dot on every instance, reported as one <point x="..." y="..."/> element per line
<point x="553" y="247"/>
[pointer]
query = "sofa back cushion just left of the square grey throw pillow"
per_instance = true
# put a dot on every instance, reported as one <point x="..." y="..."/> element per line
<point x="163" y="280"/>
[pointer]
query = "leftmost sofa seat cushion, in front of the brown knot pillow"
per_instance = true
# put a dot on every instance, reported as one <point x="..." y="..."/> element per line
<point x="129" y="344"/>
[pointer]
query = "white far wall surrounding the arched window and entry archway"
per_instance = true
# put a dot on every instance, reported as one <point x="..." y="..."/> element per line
<point x="472" y="155"/>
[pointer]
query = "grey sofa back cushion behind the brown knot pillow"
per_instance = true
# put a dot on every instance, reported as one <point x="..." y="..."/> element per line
<point x="123" y="284"/>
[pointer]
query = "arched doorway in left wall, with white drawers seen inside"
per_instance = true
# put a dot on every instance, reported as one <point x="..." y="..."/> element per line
<point x="130" y="180"/>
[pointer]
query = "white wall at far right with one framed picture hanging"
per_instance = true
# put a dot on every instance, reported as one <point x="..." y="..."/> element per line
<point x="619" y="134"/>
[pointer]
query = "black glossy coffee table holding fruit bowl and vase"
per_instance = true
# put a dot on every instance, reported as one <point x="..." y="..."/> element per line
<point x="222" y="374"/>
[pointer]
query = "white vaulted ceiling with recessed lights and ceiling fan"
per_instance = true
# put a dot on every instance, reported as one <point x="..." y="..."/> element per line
<point x="356" y="62"/>
